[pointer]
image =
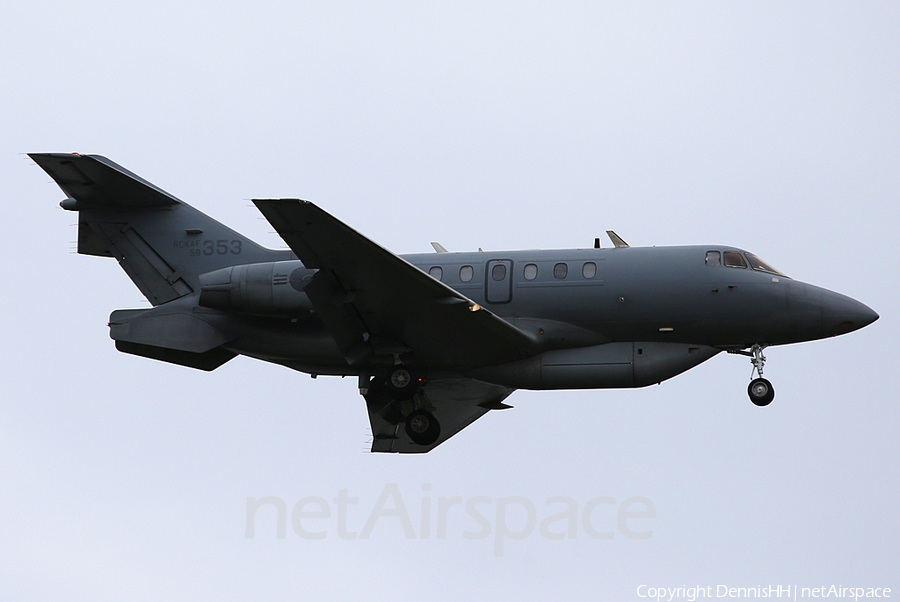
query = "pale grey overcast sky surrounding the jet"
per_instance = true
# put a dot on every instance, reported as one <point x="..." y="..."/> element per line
<point x="772" y="126"/>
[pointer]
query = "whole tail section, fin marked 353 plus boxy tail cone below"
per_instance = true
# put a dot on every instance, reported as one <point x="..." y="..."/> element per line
<point x="164" y="245"/>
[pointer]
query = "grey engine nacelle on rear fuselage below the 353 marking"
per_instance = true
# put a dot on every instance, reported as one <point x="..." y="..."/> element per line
<point x="273" y="288"/>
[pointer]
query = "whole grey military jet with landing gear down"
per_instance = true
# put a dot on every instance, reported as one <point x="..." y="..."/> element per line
<point x="437" y="340"/>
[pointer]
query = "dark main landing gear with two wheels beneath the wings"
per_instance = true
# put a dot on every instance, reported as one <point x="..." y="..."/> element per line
<point x="399" y="387"/>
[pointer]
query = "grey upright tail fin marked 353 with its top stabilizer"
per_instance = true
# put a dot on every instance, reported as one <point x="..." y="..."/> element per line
<point x="162" y="243"/>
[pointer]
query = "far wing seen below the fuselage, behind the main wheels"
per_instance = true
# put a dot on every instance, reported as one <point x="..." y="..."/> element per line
<point x="456" y="403"/>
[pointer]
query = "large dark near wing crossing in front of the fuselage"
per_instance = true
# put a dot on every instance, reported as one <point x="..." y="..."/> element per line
<point x="375" y="303"/>
